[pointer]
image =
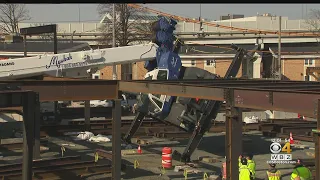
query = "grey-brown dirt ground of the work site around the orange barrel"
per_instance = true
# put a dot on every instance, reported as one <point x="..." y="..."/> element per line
<point x="149" y="162"/>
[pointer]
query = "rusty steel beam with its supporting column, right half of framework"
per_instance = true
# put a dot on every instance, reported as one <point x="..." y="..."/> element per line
<point x="289" y="96"/>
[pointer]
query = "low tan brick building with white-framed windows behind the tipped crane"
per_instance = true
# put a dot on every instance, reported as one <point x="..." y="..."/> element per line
<point x="294" y="65"/>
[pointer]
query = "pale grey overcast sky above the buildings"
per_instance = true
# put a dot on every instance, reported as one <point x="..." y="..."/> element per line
<point x="88" y="12"/>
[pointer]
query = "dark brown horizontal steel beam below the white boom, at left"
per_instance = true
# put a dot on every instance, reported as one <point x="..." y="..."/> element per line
<point x="71" y="90"/>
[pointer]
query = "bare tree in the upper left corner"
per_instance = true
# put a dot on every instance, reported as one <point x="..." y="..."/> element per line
<point x="11" y="15"/>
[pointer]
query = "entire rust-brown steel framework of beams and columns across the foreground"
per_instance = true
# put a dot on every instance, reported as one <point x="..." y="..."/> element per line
<point x="289" y="96"/>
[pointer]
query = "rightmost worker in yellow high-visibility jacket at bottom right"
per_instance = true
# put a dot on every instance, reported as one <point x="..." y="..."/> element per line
<point x="300" y="172"/>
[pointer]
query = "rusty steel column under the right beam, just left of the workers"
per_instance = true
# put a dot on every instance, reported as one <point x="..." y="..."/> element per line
<point x="233" y="136"/>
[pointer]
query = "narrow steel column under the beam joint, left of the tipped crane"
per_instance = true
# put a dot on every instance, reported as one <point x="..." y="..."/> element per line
<point x="116" y="140"/>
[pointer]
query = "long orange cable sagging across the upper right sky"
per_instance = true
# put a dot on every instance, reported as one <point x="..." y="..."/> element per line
<point x="180" y="18"/>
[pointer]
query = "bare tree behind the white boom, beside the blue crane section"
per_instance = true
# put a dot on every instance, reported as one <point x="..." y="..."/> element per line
<point x="128" y="28"/>
